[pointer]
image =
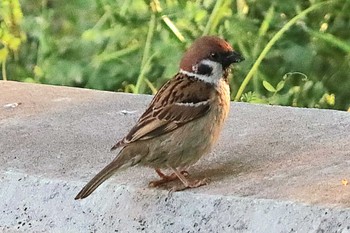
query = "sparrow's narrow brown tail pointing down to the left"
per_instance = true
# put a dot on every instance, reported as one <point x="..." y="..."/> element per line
<point x="124" y="159"/>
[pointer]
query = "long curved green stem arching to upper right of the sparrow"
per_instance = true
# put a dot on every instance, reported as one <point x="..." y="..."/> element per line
<point x="273" y="40"/>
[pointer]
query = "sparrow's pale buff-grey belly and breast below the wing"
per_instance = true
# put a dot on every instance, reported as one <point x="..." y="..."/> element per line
<point x="187" y="144"/>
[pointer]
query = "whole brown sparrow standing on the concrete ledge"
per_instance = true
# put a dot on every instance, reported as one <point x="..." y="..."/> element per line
<point x="183" y="121"/>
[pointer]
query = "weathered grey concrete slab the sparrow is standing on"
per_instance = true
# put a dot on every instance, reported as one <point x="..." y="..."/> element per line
<point x="276" y="169"/>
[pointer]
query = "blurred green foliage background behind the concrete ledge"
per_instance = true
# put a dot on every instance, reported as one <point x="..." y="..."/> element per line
<point x="297" y="52"/>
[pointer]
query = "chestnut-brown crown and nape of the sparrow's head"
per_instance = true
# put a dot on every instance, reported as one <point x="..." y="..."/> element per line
<point x="201" y="49"/>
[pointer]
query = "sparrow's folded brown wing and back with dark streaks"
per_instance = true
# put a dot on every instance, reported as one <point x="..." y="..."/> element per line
<point x="181" y="100"/>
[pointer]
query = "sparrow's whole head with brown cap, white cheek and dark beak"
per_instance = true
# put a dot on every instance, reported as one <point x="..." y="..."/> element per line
<point x="209" y="56"/>
